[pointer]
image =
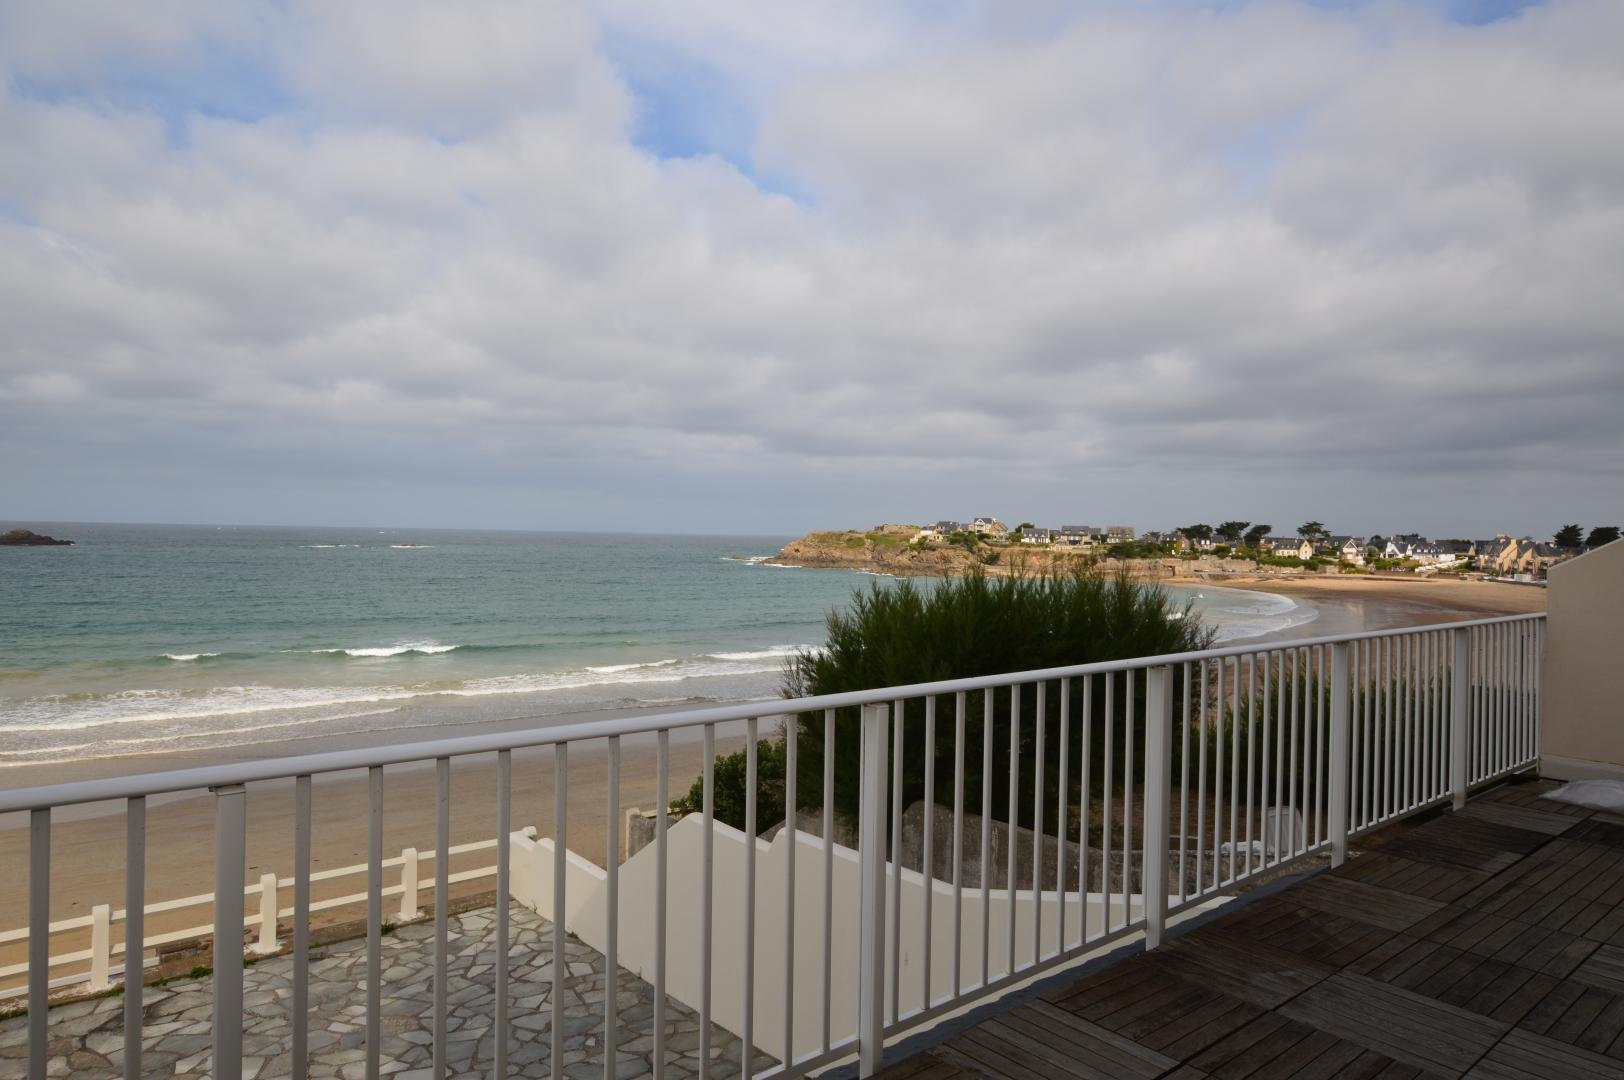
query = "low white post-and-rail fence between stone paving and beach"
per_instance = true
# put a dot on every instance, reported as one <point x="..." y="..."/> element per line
<point x="98" y="961"/>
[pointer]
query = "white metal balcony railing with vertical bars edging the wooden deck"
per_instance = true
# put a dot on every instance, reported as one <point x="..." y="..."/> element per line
<point x="1194" y="774"/>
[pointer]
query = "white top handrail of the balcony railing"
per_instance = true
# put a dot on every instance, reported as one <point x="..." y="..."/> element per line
<point x="464" y="746"/>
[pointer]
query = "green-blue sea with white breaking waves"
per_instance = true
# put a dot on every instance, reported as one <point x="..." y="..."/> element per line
<point x="145" y="639"/>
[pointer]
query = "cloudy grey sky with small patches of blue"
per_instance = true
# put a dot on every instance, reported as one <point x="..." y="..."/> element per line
<point x="746" y="267"/>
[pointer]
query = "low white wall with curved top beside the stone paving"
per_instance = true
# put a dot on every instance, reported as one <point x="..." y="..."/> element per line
<point x="585" y="917"/>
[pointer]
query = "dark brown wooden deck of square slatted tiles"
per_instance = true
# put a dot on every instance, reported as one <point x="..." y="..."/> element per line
<point x="1479" y="944"/>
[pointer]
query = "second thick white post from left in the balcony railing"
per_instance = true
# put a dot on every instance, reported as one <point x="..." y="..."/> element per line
<point x="871" y="933"/>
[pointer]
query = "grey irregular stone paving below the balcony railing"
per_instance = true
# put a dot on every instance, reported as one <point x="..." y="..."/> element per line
<point x="87" y="1039"/>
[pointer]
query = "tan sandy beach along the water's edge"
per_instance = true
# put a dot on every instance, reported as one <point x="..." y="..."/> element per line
<point x="89" y="842"/>
